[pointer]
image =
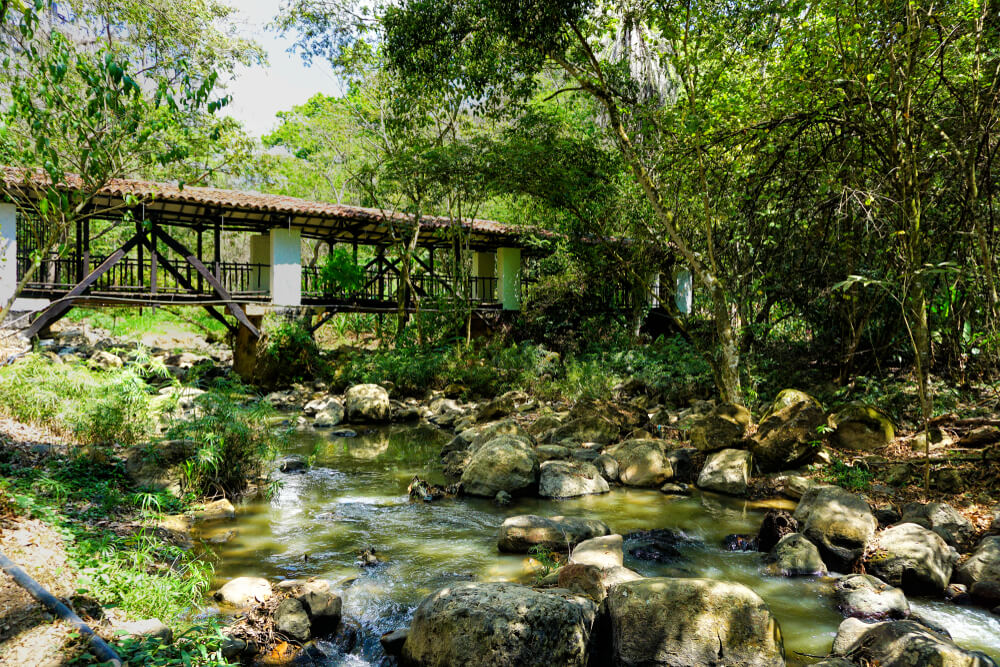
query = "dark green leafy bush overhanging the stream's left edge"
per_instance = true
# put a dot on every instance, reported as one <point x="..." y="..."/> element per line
<point x="235" y="442"/>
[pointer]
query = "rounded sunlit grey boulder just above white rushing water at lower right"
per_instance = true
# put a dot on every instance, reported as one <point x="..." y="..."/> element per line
<point x="913" y="558"/>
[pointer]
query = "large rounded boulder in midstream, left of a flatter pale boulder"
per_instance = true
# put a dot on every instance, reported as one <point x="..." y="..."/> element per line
<point x="505" y="463"/>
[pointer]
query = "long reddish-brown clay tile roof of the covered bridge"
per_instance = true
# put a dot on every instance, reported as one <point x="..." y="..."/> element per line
<point x="191" y="206"/>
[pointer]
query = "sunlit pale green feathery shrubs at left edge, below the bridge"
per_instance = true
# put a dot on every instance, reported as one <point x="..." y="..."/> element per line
<point x="96" y="406"/>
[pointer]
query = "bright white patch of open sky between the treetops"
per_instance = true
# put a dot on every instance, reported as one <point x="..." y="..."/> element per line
<point x="260" y="92"/>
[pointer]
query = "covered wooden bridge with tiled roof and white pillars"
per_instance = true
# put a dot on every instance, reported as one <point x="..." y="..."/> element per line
<point x="172" y="252"/>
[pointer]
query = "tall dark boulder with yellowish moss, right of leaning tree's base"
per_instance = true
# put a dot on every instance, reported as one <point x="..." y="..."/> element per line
<point x="787" y="437"/>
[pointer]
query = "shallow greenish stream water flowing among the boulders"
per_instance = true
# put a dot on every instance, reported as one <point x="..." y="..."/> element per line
<point x="354" y="497"/>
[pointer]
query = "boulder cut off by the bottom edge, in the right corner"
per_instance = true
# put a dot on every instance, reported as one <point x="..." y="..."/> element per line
<point x="904" y="644"/>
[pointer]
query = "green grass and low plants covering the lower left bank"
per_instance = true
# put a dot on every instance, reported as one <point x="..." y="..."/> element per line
<point x="90" y="503"/>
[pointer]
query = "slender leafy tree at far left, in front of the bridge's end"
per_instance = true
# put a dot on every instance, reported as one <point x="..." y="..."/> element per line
<point x="84" y="110"/>
